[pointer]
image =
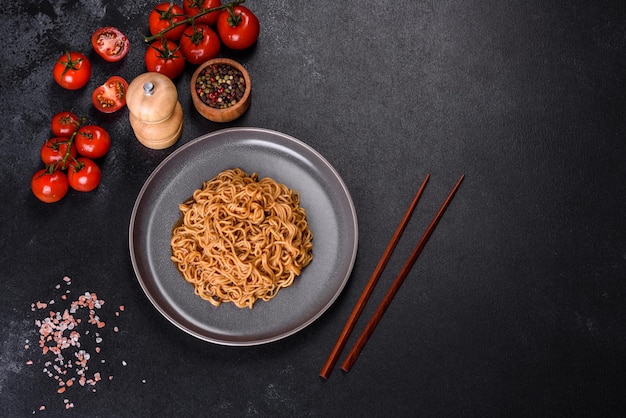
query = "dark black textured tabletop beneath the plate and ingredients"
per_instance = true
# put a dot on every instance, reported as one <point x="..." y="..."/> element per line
<point x="517" y="305"/>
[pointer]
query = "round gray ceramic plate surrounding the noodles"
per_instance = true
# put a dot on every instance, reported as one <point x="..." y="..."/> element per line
<point x="330" y="213"/>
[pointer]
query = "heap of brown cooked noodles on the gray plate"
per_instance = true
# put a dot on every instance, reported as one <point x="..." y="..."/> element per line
<point x="241" y="239"/>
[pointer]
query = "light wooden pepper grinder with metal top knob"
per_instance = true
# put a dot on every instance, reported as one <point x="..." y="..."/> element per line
<point x="155" y="112"/>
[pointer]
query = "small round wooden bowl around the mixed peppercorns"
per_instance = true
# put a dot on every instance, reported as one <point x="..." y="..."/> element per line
<point x="229" y="113"/>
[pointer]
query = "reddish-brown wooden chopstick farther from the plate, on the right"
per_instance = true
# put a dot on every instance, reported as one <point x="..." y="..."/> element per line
<point x="371" y="325"/>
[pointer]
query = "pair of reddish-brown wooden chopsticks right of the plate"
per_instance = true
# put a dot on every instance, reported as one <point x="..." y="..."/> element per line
<point x="384" y="304"/>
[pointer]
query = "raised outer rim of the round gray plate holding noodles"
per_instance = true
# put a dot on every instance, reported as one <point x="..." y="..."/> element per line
<point x="204" y="137"/>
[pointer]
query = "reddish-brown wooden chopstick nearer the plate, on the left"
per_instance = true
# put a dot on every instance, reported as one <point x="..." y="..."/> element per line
<point x="358" y="308"/>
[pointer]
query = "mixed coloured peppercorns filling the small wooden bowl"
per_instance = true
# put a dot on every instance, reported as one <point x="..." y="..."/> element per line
<point x="220" y="86"/>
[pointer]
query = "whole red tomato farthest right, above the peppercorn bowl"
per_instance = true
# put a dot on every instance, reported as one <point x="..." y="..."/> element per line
<point x="238" y="28"/>
